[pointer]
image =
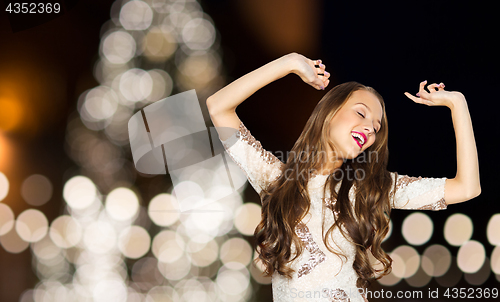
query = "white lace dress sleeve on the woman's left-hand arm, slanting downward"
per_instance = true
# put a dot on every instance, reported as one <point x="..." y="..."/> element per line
<point x="260" y="166"/>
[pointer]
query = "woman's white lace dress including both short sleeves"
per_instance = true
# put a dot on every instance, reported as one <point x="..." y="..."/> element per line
<point x="319" y="274"/>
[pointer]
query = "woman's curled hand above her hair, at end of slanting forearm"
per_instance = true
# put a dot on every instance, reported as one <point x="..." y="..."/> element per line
<point x="305" y="68"/>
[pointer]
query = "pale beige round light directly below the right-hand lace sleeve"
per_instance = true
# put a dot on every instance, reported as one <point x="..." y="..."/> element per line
<point x="417" y="228"/>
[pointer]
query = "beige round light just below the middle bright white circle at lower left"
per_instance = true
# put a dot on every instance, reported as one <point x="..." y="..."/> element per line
<point x="134" y="242"/>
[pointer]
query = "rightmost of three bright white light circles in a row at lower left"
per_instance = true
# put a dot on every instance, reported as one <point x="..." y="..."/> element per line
<point x="163" y="209"/>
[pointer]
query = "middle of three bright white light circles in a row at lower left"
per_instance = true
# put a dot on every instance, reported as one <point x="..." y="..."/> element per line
<point x="122" y="204"/>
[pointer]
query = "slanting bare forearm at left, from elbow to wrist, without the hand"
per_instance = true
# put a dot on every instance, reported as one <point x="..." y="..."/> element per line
<point x="229" y="97"/>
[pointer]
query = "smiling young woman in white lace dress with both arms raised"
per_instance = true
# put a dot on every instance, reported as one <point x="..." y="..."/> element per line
<point x="326" y="210"/>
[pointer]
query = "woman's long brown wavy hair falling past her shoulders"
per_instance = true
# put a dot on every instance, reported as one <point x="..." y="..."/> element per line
<point x="285" y="202"/>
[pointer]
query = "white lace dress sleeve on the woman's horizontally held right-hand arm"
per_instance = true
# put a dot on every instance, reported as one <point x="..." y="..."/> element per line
<point x="418" y="193"/>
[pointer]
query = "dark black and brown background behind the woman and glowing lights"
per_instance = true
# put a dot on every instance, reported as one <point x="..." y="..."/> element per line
<point x="389" y="45"/>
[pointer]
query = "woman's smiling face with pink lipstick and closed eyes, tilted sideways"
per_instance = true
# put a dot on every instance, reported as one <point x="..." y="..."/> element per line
<point x="361" y="114"/>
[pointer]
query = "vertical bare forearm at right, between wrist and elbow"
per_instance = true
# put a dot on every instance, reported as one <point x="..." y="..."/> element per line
<point x="467" y="160"/>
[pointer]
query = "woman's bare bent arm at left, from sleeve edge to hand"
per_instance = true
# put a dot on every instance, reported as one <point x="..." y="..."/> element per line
<point x="222" y="105"/>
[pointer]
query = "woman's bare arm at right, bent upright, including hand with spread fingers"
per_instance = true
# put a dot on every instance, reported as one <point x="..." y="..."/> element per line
<point x="465" y="185"/>
